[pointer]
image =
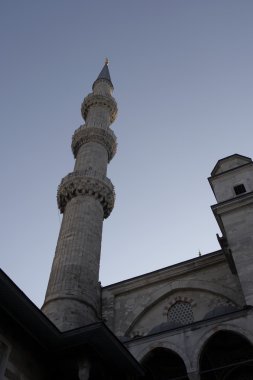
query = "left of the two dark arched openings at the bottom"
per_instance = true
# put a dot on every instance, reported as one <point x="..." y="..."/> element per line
<point x="164" y="364"/>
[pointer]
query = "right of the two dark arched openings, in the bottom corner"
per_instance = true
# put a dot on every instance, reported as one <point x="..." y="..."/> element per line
<point x="227" y="356"/>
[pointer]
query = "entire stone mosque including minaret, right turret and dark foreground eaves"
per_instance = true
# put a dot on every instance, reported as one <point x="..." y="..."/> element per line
<point x="192" y="320"/>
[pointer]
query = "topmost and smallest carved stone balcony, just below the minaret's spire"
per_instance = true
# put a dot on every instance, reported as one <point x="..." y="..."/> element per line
<point x="101" y="100"/>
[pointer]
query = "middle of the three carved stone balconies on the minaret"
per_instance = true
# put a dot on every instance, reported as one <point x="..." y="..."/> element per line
<point x="84" y="135"/>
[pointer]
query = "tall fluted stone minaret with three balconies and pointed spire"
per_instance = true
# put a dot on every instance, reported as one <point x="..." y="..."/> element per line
<point x="85" y="197"/>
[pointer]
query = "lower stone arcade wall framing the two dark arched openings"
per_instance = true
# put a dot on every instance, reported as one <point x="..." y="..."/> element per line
<point x="189" y="342"/>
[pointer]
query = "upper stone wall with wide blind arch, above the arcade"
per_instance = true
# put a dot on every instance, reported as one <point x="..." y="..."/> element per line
<point x="204" y="286"/>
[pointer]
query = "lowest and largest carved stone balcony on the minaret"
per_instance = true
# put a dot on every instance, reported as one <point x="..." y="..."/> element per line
<point x="83" y="183"/>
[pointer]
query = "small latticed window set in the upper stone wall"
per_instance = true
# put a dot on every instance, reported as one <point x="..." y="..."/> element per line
<point x="181" y="313"/>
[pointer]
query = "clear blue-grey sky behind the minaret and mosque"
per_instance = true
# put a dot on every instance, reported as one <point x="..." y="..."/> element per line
<point x="183" y="77"/>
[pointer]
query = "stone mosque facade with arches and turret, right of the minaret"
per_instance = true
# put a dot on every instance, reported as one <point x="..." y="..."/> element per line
<point x="195" y="319"/>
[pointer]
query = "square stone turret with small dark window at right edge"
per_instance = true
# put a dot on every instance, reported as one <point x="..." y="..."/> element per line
<point x="232" y="184"/>
